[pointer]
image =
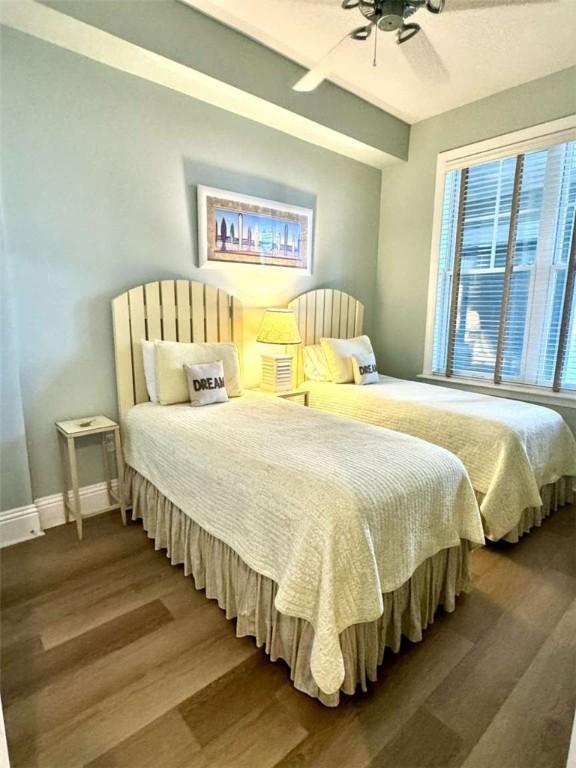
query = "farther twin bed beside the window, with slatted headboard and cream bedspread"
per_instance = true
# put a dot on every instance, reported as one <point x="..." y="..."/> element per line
<point x="521" y="458"/>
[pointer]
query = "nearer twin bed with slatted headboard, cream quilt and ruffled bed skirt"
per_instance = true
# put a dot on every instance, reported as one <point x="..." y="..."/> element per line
<point x="326" y="538"/>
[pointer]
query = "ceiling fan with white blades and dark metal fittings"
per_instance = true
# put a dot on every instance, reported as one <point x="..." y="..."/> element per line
<point x="396" y="16"/>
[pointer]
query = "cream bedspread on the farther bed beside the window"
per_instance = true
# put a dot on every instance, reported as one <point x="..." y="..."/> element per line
<point x="510" y="448"/>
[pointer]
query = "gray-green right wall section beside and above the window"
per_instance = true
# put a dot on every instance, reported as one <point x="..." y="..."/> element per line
<point x="408" y="202"/>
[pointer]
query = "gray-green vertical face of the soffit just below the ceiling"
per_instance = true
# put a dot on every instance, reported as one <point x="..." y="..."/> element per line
<point x="181" y="33"/>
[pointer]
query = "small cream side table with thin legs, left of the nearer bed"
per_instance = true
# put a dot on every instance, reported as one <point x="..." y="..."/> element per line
<point x="68" y="433"/>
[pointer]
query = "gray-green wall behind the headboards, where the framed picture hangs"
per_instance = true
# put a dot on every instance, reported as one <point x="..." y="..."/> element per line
<point x="98" y="185"/>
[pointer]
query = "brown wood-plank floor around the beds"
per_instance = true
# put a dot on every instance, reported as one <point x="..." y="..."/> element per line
<point x="111" y="658"/>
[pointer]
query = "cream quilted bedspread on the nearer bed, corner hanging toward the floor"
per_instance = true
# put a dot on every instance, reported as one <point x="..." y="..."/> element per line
<point x="335" y="512"/>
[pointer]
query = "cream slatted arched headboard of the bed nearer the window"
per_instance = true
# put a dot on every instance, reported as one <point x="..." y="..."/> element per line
<point x="325" y="312"/>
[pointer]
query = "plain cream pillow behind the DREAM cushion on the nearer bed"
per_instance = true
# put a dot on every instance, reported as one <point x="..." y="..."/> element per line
<point x="171" y="356"/>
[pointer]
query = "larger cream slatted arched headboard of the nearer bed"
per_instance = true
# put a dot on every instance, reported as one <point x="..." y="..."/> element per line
<point x="174" y="310"/>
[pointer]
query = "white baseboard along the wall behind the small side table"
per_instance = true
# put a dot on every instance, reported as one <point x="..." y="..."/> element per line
<point x="24" y="523"/>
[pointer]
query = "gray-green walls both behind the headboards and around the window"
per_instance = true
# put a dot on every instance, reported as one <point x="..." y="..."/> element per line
<point x="99" y="170"/>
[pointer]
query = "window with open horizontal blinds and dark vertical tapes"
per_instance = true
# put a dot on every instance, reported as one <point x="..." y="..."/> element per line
<point x="505" y="309"/>
